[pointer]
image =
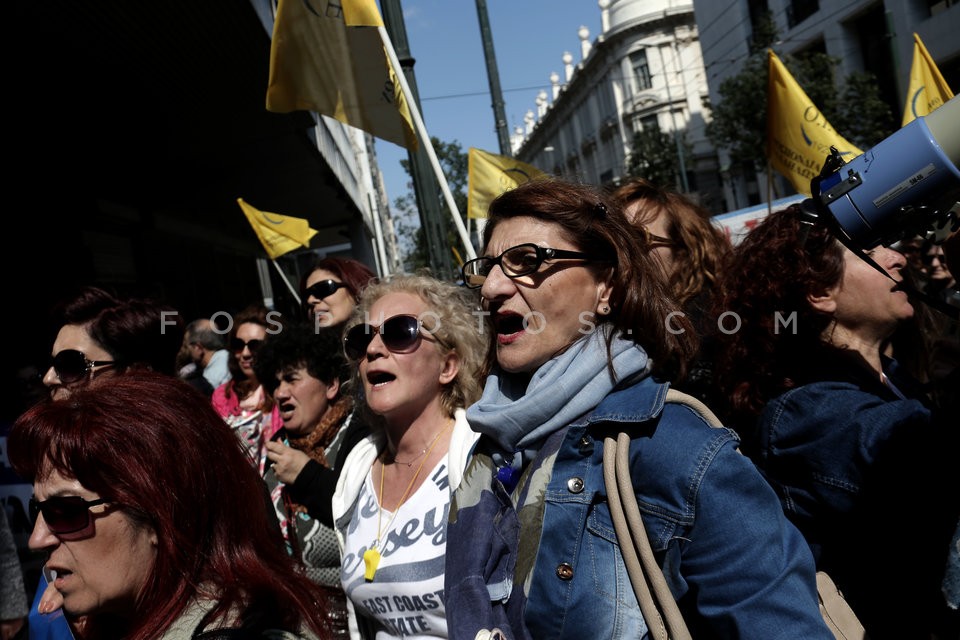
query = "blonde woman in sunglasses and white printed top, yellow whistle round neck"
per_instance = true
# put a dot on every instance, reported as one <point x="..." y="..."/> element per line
<point x="418" y="352"/>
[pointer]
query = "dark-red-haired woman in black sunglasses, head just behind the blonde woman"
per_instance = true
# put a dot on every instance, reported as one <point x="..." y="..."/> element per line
<point x="331" y="289"/>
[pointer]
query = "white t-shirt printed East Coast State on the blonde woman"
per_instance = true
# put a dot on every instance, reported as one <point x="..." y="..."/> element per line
<point x="406" y="594"/>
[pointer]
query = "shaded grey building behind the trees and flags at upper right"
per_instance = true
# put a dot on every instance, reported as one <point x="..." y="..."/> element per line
<point x="870" y="35"/>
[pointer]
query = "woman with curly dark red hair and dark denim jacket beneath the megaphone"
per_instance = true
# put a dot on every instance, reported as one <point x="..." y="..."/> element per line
<point x="843" y="435"/>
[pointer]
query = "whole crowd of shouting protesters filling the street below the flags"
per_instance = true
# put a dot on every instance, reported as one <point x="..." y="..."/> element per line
<point x="417" y="458"/>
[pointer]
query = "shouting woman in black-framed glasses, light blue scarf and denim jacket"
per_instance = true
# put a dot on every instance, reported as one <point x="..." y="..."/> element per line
<point x="582" y="351"/>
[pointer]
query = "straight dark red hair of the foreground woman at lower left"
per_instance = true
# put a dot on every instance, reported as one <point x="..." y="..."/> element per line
<point x="153" y="445"/>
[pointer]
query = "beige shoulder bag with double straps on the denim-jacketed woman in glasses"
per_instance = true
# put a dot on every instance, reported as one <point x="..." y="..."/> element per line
<point x="659" y="608"/>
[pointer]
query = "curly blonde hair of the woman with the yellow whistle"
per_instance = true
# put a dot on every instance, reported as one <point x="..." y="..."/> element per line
<point x="452" y="320"/>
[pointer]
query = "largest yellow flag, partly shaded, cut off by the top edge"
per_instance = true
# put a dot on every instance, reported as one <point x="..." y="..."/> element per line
<point x="329" y="58"/>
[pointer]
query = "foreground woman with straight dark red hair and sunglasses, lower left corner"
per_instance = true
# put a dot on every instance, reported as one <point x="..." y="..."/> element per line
<point x="151" y="539"/>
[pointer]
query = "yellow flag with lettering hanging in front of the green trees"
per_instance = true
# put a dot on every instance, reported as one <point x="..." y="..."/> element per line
<point x="798" y="136"/>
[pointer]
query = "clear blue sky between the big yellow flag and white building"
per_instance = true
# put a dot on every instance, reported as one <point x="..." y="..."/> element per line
<point x="529" y="38"/>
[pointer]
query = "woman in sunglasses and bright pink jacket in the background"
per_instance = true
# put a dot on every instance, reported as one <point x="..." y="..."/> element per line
<point x="242" y="401"/>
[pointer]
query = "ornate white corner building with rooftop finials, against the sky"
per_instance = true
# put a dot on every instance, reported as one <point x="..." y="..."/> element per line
<point x="643" y="71"/>
